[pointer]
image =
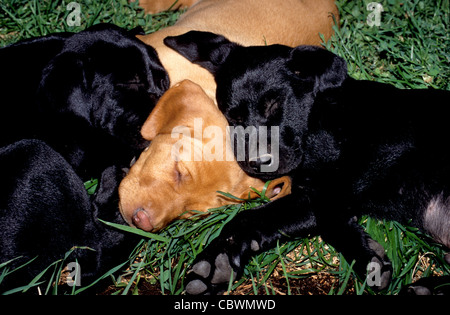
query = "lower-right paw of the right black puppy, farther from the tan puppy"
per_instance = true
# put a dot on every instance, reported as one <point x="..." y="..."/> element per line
<point x="379" y="270"/>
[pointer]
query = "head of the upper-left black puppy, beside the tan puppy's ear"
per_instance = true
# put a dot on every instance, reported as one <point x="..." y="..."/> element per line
<point x="107" y="80"/>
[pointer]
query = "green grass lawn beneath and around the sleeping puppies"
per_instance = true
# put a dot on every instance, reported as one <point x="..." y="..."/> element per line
<point x="409" y="49"/>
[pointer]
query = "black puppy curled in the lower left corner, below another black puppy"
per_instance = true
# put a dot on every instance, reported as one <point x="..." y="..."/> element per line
<point x="45" y="211"/>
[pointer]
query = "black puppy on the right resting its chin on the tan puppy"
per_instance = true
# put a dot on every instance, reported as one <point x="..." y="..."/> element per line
<point x="352" y="148"/>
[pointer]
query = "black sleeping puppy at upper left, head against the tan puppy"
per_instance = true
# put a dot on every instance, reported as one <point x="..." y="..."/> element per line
<point x="86" y="94"/>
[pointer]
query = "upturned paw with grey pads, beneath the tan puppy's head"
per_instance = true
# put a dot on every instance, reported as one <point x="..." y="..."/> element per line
<point x="210" y="276"/>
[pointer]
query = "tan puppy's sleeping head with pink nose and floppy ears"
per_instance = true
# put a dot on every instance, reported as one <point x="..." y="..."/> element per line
<point x="154" y="183"/>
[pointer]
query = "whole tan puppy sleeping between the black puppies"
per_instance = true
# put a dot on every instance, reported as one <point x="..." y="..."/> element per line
<point x="143" y="193"/>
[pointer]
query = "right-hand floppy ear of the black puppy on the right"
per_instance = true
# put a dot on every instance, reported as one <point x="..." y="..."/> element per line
<point x="314" y="62"/>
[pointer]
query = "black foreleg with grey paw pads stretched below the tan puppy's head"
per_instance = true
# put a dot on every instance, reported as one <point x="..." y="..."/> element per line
<point x="226" y="256"/>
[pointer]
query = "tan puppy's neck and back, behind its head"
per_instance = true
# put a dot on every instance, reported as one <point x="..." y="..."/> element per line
<point x="247" y="22"/>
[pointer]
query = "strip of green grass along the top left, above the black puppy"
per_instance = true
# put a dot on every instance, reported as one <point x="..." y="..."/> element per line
<point x="20" y="19"/>
